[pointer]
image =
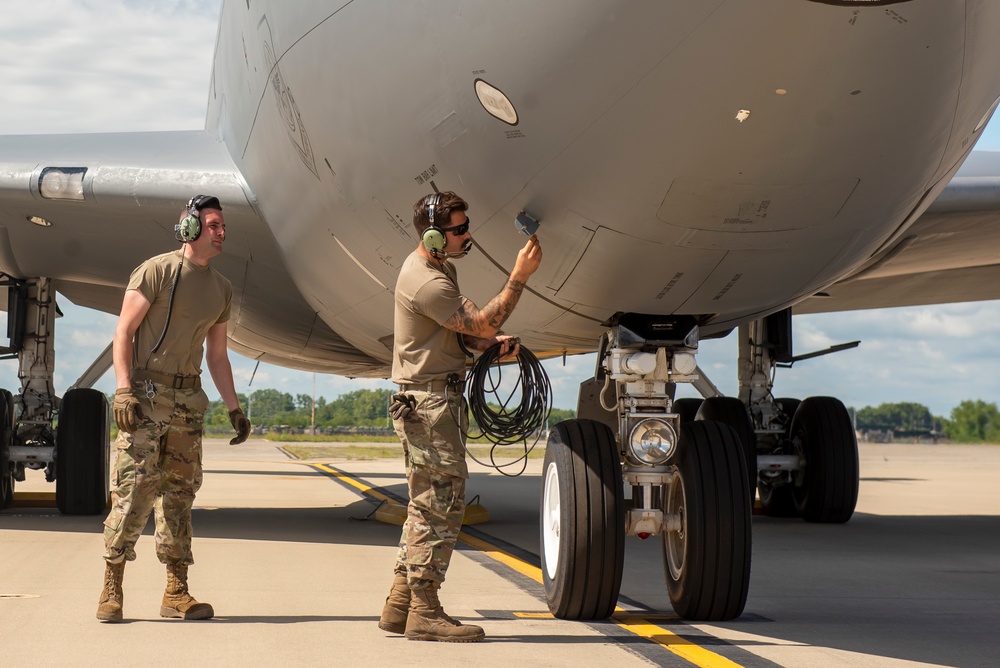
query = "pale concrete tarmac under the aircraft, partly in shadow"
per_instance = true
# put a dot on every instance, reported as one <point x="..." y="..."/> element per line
<point x="298" y="575"/>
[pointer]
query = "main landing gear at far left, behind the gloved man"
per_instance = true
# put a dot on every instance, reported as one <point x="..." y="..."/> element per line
<point x="68" y="438"/>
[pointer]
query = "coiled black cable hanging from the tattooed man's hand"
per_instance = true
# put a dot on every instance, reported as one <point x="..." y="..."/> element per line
<point x="509" y="423"/>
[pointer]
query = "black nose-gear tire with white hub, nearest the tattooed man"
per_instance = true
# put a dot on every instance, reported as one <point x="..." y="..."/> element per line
<point x="585" y="535"/>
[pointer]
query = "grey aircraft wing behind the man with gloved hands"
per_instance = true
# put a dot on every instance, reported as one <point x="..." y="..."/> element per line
<point x="84" y="210"/>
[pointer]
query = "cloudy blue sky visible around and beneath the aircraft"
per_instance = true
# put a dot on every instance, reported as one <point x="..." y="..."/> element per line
<point x="70" y="66"/>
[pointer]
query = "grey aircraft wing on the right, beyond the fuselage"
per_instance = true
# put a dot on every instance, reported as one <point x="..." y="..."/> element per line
<point x="948" y="255"/>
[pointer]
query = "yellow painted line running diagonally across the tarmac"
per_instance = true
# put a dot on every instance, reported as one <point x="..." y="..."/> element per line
<point x="628" y="620"/>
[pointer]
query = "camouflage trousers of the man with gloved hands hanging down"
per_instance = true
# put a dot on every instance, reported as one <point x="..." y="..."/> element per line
<point x="157" y="467"/>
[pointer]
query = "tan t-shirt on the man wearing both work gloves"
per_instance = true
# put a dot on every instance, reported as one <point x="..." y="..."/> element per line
<point x="203" y="298"/>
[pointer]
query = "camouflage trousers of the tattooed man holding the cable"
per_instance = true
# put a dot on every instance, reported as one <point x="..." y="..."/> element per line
<point x="435" y="473"/>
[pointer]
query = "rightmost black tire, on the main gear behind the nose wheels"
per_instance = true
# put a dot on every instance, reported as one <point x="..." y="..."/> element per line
<point x="827" y="489"/>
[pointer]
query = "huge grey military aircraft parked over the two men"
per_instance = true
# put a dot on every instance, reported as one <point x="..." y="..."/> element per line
<point x="695" y="167"/>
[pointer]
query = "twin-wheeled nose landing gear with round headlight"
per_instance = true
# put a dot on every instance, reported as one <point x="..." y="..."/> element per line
<point x="689" y="483"/>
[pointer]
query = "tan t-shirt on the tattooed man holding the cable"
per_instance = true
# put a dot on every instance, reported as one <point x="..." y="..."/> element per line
<point x="426" y="297"/>
